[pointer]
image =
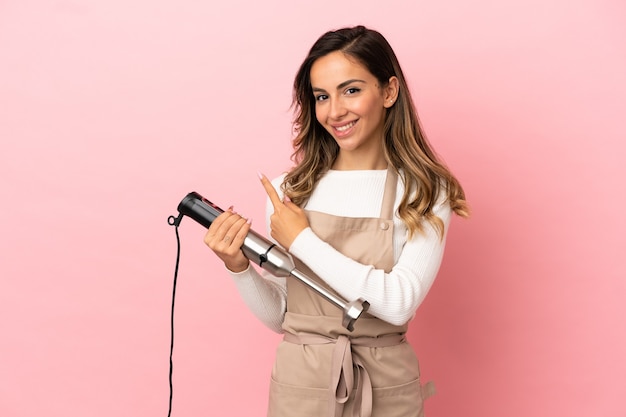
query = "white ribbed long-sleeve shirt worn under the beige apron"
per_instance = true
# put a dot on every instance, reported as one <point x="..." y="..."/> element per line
<point x="394" y="296"/>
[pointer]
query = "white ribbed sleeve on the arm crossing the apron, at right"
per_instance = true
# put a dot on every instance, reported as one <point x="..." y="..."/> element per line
<point x="394" y="296"/>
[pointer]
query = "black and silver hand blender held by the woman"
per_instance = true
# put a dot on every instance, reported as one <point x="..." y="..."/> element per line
<point x="269" y="256"/>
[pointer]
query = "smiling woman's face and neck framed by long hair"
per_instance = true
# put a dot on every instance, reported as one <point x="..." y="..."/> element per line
<point x="351" y="104"/>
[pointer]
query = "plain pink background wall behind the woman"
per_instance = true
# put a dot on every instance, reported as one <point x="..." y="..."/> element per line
<point x="112" y="110"/>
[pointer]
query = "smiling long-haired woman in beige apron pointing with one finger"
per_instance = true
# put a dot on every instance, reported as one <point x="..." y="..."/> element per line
<point x="365" y="211"/>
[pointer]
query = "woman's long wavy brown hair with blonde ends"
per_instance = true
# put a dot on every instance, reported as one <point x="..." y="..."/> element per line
<point x="405" y="146"/>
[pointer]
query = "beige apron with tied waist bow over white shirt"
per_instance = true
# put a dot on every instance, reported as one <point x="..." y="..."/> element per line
<point x="321" y="368"/>
